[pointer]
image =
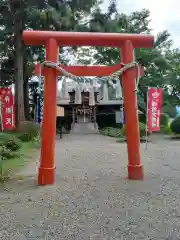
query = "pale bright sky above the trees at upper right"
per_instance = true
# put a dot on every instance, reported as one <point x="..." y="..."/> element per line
<point x="165" y="14"/>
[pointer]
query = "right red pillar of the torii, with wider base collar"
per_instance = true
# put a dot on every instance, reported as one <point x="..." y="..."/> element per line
<point x="135" y="168"/>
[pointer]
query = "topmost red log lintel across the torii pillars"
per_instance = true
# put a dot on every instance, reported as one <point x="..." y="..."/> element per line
<point x="38" y="38"/>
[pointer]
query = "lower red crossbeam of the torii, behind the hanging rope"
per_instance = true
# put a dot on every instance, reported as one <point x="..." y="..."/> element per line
<point x="92" y="71"/>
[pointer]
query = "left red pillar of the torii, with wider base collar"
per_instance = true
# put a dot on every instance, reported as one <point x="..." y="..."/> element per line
<point x="47" y="167"/>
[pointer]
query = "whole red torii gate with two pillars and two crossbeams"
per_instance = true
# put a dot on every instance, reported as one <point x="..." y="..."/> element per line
<point x="127" y="43"/>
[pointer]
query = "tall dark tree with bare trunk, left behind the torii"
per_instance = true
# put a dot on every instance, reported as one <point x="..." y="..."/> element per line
<point x="18" y="15"/>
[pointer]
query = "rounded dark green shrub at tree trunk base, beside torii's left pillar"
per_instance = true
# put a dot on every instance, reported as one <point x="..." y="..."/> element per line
<point x="27" y="131"/>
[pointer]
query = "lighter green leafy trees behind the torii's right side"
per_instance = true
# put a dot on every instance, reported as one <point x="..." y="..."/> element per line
<point x="159" y="61"/>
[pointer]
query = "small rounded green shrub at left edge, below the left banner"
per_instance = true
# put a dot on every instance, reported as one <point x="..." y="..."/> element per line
<point x="12" y="143"/>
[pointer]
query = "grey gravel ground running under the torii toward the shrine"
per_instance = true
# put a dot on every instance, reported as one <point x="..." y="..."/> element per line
<point x="92" y="200"/>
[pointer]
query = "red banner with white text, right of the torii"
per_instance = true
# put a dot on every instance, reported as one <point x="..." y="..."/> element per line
<point x="154" y="109"/>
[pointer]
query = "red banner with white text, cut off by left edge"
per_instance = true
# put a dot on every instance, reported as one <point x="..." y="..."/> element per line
<point x="7" y="108"/>
